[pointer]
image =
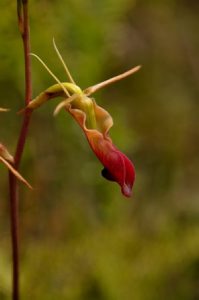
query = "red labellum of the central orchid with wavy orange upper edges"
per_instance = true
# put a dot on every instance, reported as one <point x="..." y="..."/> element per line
<point x="117" y="166"/>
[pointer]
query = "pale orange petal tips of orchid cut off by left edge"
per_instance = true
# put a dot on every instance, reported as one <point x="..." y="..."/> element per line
<point x="7" y="159"/>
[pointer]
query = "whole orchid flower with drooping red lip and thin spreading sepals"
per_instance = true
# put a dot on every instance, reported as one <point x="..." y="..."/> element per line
<point x="94" y="121"/>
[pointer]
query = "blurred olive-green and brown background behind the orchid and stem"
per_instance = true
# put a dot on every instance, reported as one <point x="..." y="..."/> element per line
<point x="80" y="239"/>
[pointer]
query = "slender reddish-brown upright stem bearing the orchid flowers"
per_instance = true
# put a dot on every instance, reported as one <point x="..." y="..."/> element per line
<point x="23" y="21"/>
